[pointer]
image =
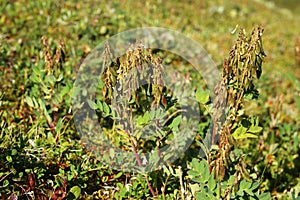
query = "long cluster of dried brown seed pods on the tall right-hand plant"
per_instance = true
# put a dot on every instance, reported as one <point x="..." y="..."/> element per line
<point x="240" y="70"/>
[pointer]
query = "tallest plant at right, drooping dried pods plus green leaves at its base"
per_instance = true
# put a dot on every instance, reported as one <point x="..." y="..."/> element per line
<point x="225" y="175"/>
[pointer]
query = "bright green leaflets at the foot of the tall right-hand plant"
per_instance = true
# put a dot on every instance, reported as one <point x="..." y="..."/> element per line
<point x="203" y="184"/>
